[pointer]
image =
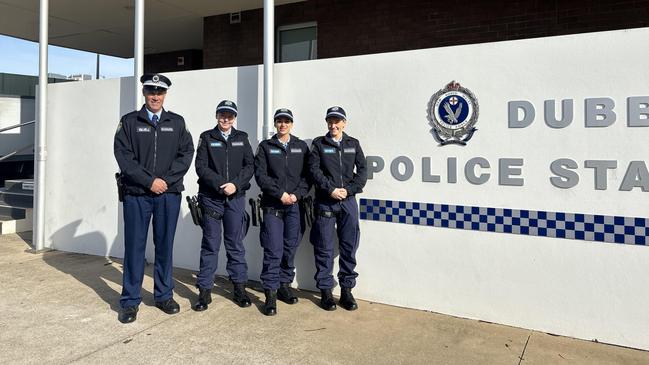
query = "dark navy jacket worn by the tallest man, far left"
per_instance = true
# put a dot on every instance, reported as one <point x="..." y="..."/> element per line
<point x="145" y="152"/>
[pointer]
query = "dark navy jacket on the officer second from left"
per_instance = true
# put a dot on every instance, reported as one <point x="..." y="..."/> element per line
<point x="219" y="161"/>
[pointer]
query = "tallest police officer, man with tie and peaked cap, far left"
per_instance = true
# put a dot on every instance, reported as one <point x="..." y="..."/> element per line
<point x="154" y="151"/>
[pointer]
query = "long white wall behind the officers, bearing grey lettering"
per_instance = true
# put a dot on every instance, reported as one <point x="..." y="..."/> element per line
<point x="585" y="289"/>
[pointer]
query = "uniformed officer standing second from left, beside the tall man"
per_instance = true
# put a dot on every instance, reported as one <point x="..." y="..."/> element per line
<point x="224" y="164"/>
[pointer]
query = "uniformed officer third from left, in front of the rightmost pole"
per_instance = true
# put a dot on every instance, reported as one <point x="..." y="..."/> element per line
<point x="281" y="173"/>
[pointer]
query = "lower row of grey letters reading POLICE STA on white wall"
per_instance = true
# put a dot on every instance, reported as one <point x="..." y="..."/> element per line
<point x="564" y="173"/>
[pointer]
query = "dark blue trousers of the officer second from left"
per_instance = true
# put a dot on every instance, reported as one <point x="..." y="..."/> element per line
<point x="234" y="230"/>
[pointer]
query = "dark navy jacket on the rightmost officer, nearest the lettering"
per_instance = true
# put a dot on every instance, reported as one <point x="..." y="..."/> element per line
<point x="332" y="166"/>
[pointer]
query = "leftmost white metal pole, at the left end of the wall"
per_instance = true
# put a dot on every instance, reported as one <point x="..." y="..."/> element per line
<point x="38" y="233"/>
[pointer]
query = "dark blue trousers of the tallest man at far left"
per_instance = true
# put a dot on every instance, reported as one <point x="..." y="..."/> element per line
<point x="138" y="210"/>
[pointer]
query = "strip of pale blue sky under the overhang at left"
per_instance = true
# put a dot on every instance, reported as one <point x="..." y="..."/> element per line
<point x="21" y="57"/>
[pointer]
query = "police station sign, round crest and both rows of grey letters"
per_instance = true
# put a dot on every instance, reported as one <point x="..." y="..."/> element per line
<point x="453" y="113"/>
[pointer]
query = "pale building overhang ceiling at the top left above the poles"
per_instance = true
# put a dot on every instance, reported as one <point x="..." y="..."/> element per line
<point x="106" y="26"/>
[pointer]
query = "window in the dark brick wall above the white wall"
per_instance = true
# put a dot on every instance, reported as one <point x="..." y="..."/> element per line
<point x="297" y="42"/>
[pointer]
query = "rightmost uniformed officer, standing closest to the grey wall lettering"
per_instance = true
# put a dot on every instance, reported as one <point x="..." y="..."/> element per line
<point x="332" y="161"/>
